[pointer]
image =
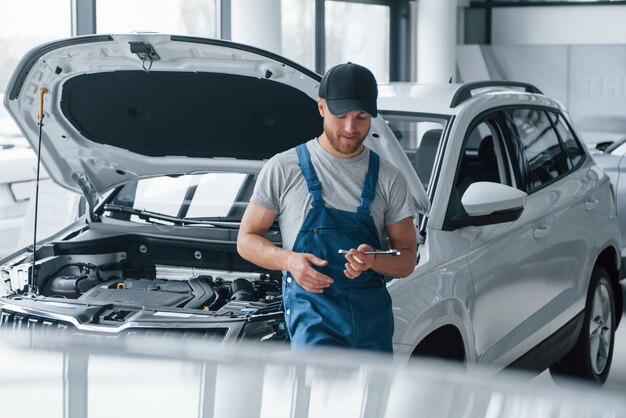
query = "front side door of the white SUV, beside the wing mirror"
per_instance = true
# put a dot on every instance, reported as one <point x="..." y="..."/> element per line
<point x="504" y="258"/>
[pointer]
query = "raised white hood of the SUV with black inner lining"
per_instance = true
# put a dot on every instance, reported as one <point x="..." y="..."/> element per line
<point x="121" y="107"/>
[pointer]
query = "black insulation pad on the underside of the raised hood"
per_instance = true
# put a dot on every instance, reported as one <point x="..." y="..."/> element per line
<point x="190" y="114"/>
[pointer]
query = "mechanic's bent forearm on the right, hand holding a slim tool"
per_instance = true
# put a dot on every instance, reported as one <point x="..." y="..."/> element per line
<point x="402" y="237"/>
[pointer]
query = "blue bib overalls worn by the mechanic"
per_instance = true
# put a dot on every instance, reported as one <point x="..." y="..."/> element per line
<point x="352" y="313"/>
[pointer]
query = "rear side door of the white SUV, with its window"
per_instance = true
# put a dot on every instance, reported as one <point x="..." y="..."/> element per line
<point x="559" y="209"/>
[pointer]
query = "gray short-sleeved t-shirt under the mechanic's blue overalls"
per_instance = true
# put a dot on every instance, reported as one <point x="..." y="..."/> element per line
<point x="281" y="188"/>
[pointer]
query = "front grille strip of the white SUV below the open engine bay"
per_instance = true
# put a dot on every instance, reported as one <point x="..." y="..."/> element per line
<point x="45" y="326"/>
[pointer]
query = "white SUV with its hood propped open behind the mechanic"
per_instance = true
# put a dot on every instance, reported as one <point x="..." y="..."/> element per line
<point x="165" y="135"/>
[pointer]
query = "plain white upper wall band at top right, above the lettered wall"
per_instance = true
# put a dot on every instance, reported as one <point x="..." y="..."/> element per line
<point x="559" y="25"/>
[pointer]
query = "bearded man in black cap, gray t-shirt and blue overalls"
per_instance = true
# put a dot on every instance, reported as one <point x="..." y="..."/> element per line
<point x="333" y="193"/>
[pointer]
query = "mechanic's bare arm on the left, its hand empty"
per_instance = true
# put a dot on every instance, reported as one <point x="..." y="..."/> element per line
<point x="254" y="247"/>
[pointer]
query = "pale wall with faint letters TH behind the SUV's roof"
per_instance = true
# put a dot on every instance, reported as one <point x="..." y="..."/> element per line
<point x="589" y="79"/>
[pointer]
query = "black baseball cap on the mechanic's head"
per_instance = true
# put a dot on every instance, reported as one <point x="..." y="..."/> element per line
<point x="349" y="88"/>
